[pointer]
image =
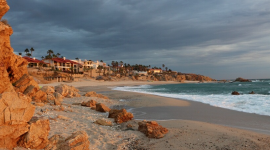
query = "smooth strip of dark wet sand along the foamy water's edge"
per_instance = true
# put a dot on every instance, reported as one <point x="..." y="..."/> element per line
<point x="151" y="107"/>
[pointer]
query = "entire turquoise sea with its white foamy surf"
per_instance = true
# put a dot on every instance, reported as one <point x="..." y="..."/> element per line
<point x="215" y="94"/>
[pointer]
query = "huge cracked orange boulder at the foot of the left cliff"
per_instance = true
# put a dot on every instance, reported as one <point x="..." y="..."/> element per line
<point x="15" y="111"/>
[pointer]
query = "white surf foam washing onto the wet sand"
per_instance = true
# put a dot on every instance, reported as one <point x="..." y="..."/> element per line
<point x="250" y="103"/>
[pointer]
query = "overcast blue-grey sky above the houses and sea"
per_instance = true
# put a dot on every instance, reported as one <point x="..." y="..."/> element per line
<point x="222" y="39"/>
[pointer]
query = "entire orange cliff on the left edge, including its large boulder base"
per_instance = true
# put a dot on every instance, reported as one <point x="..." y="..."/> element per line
<point x="17" y="89"/>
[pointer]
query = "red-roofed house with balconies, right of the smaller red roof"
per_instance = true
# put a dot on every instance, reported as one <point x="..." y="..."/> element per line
<point x="63" y="64"/>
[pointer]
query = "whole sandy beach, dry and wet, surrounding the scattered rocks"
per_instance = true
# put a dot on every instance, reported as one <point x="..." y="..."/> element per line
<point x="193" y="125"/>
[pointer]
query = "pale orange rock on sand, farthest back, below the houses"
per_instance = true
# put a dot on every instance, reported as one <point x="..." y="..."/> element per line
<point x="67" y="91"/>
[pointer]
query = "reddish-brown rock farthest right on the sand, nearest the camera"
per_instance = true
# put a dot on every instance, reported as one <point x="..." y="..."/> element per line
<point x="152" y="129"/>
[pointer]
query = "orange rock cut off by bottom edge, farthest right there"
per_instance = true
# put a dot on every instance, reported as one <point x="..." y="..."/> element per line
<point x="77" y="141"/>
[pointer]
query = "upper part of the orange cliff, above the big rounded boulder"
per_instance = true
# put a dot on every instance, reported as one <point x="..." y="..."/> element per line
<point x="13" y="69"/>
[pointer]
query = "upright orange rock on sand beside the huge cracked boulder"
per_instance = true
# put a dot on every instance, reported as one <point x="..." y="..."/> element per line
<point x="37" y="136"/>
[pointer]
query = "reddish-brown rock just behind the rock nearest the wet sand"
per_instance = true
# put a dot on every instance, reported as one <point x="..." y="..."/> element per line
<point x="120" y="116"/>
